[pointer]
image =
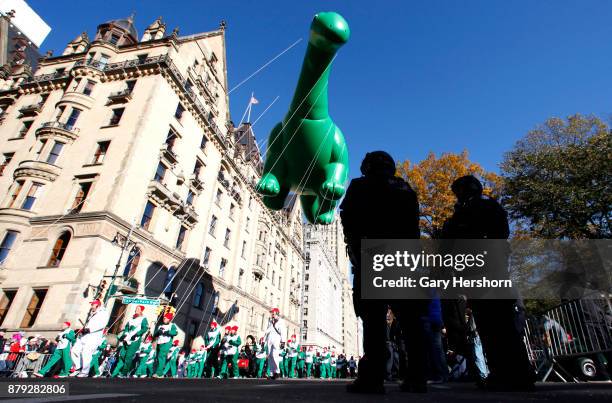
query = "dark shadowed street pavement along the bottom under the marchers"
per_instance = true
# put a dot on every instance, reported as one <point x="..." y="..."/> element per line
<point x="255" y="390"/>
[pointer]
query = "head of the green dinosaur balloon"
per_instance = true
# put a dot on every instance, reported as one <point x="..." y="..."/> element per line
<point x="329" y="31"/>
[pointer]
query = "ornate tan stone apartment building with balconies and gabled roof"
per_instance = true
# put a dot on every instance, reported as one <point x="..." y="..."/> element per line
<point x="119" y="156"/>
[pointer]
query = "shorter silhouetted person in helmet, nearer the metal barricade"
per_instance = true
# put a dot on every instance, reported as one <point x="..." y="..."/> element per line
<point x="477" y="217"/>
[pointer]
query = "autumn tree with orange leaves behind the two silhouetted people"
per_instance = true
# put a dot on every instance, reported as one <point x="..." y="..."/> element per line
<point x="432" y="179"/>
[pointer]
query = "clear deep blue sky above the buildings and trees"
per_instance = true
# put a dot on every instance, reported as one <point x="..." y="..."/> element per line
<point x="416" y="76"/>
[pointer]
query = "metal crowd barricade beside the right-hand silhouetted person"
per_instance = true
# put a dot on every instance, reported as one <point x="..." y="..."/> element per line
<point x="570" y="340"/>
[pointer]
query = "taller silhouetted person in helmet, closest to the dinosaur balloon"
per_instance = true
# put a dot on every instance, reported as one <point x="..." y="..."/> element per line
<point x="380" y="205"/>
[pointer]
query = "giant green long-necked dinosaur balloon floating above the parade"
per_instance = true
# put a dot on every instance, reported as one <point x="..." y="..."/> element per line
<point x="306" y="151"/>
